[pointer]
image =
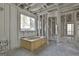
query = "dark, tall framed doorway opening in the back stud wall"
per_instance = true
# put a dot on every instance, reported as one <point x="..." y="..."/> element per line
<point x="52" y="28"/>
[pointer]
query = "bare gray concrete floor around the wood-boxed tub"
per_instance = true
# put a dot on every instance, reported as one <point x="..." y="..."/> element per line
<point x="53" y="49"/>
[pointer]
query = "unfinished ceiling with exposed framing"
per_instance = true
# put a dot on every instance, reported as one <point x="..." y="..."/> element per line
<point x="37" y="7"/>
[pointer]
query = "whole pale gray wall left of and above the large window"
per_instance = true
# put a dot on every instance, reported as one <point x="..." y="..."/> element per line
<point x="9" y="29"/>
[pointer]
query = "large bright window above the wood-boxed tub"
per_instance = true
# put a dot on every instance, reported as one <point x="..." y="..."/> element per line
<point x="27" y="23"/>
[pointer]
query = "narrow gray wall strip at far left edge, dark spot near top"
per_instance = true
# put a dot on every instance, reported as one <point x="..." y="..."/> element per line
<point x="2" y="22"/>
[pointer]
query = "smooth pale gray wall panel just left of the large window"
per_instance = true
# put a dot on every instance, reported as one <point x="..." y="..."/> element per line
<point x="13" y="27"/>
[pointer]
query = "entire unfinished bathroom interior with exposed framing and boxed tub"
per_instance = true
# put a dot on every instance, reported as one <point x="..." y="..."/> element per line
<point x="39" y="29"/>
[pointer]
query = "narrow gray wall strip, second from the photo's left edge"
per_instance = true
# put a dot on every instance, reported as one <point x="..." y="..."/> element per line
<point x="7" y="23"/>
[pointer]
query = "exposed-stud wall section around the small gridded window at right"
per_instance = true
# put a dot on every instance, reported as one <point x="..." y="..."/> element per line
<point x="67" y="26"/>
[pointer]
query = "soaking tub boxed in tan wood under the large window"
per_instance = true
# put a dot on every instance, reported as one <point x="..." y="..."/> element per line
<point x="33" y="43"/>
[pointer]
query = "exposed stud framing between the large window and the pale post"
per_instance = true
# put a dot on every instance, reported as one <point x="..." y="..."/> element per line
<point x="47" y="26"/>
